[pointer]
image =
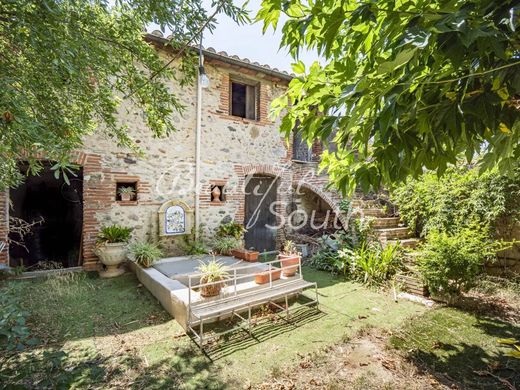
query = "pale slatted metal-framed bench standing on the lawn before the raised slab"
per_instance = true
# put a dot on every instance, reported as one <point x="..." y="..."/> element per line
<point x="237" y="302"/>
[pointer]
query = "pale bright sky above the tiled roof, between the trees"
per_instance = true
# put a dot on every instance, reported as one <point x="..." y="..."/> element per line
<point x="248" y="41"/>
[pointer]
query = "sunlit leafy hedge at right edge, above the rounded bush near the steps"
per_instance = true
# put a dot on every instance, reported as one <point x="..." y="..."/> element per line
<point x="460" y="198"/>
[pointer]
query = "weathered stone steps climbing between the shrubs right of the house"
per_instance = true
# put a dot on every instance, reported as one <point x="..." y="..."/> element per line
<point x="389" y="230"/>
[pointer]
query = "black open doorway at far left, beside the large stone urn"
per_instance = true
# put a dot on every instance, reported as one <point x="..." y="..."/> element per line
<point x="56" y="241"/>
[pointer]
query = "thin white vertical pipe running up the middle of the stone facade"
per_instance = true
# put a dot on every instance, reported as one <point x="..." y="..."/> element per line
<point x="202" y="82"/>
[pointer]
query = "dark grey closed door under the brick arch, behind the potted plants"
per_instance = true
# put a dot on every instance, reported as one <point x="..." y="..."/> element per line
<point x="260" y="195"/>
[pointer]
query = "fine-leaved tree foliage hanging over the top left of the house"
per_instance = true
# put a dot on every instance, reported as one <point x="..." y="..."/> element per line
<point x="67" y="66"/>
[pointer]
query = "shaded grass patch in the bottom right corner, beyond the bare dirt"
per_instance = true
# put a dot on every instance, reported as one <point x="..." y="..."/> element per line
<point x="455" y="345"/>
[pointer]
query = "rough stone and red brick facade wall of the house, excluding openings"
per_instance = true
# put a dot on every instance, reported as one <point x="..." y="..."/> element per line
<point x="232" y="149"/>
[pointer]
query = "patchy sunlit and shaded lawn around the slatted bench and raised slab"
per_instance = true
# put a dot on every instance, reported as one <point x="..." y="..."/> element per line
<point x="112" y="332"/>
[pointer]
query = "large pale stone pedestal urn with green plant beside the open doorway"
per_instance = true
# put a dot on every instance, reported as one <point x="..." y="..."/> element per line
<point x="111" y="248"/>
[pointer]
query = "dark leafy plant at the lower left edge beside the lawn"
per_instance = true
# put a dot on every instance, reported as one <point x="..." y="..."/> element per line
<point x="14" y="333"/>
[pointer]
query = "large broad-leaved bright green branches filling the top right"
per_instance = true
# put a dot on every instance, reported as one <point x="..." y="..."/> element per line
<point x="404" y="86"/>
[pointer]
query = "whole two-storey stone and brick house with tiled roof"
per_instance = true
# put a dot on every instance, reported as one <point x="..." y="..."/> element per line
<point x="231" y="169"/>
